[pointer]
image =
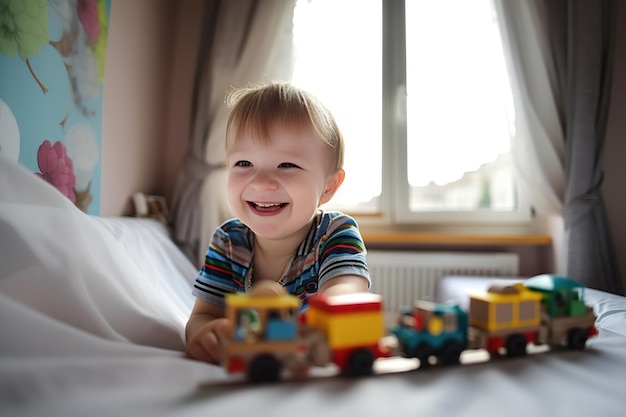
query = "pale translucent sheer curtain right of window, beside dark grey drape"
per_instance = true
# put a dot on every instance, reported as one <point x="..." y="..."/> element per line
<point x="539" y="148"/>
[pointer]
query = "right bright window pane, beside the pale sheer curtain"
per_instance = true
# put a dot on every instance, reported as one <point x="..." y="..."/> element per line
<point x="459" y="108"/>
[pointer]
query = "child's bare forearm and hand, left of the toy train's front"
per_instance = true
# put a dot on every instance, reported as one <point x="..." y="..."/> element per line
<point x="205" y="332"/>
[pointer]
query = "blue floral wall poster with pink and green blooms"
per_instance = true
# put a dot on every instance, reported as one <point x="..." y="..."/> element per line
<point x="51" y="70"/>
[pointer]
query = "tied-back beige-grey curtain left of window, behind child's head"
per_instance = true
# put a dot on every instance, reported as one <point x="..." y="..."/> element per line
<point x="243" y="42"/>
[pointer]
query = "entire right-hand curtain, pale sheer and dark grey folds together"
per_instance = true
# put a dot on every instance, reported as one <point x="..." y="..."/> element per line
<point x="561" y="62"/>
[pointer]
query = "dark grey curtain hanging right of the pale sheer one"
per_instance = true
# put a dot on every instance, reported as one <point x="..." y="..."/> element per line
<point x="582" y="40"/>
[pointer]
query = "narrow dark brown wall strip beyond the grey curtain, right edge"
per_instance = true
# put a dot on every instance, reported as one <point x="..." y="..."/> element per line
<point x="615" y="148"/>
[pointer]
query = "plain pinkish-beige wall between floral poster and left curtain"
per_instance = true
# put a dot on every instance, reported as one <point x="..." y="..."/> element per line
<point x="148" y="75"/>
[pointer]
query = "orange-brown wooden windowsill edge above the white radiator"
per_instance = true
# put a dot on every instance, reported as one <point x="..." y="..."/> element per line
<point x="394" y="239"/>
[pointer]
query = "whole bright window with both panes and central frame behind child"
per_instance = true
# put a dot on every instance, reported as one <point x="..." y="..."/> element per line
<point x="430" y="78"/>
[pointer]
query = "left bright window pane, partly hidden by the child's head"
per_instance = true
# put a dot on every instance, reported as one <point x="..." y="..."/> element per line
<point x="338" y="51"/>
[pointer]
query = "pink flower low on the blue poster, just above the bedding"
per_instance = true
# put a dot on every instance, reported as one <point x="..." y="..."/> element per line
<point x="57" y="168"/>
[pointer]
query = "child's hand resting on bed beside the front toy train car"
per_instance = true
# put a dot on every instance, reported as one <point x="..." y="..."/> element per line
<point x="207" y="342"/>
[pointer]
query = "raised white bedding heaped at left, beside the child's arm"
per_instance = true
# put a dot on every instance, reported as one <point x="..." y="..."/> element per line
<point x="112" y="278"/>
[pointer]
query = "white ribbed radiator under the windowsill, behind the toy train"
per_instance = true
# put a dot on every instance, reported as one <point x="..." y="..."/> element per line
<point x="403" y="277"/>
